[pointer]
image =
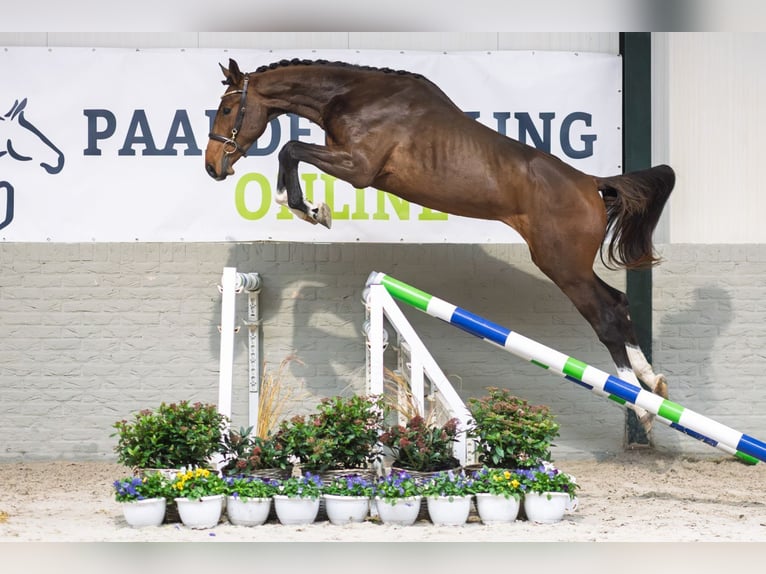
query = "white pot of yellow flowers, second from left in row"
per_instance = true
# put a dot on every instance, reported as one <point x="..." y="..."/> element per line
<point x="199" y="495"/>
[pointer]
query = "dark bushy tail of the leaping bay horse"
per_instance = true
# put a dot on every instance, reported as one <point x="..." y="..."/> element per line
<point x="634" y="202"/>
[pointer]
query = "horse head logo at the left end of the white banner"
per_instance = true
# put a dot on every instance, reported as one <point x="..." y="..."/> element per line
<point x="22" y="141"/>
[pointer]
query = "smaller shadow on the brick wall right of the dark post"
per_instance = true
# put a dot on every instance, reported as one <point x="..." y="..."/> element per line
<point x="690" y="334"/>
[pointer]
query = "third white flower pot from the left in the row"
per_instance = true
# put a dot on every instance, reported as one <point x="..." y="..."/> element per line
<point x="248" y="499"/>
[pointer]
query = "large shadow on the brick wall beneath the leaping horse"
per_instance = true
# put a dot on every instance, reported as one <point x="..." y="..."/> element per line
<point x="311" y="305"/>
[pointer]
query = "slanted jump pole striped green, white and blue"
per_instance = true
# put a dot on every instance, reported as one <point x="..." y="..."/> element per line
<point x="697" y="426"/>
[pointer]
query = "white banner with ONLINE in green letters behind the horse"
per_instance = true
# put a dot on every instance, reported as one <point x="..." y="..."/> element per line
<point x="108" y="144"/>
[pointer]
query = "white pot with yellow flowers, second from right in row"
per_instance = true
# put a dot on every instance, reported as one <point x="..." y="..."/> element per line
<point x="498" y="494"/>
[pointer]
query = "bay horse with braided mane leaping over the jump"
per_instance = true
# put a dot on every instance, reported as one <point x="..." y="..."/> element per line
<point x="398" y="132"/>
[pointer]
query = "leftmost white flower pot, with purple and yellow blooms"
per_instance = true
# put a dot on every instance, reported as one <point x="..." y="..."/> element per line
<point x="143" y="499"/>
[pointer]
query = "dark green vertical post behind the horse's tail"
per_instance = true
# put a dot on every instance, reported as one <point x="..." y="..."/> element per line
<point x="636" y="51"/>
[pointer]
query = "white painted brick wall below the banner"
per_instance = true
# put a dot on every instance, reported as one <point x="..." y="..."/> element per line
<point x="90" y="333"/>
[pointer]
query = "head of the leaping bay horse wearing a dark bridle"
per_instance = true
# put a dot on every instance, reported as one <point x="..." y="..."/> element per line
<point x="241" y="118"/>
